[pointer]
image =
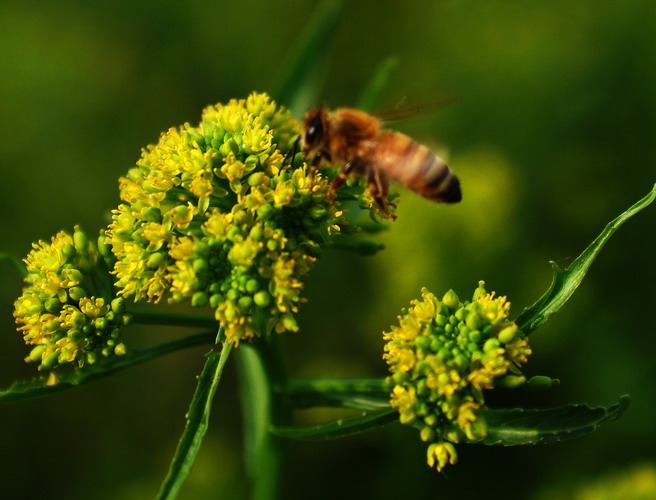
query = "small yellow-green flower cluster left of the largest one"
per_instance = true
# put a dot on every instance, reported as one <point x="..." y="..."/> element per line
<point x="69" y="310"/>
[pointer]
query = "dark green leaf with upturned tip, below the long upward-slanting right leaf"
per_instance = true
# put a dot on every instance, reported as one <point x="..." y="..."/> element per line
<point x="520" y="426"/>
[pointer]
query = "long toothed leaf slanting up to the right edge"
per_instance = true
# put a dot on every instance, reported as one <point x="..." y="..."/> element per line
<point x="564" y="283"/>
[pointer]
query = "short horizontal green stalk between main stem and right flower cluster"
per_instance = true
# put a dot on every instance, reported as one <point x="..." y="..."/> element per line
<point x="358" y="394"/>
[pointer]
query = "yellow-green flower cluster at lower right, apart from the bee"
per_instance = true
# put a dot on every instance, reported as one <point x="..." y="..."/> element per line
<point x="442" y="355"/>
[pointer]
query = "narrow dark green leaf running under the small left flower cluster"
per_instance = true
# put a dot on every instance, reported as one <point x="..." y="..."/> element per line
<point x="42" y="386"/>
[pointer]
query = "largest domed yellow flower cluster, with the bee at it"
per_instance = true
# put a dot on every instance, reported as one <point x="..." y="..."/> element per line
<point x="213" y="214"/>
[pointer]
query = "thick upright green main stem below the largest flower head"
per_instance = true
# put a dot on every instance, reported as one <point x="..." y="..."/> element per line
<point x="262" y="382"/>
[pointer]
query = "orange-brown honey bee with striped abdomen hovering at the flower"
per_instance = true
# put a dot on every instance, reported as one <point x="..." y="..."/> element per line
<point x="357" y="141"/>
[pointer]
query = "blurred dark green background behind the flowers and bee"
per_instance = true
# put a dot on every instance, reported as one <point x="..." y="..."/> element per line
<point x="552" y="136"/>
